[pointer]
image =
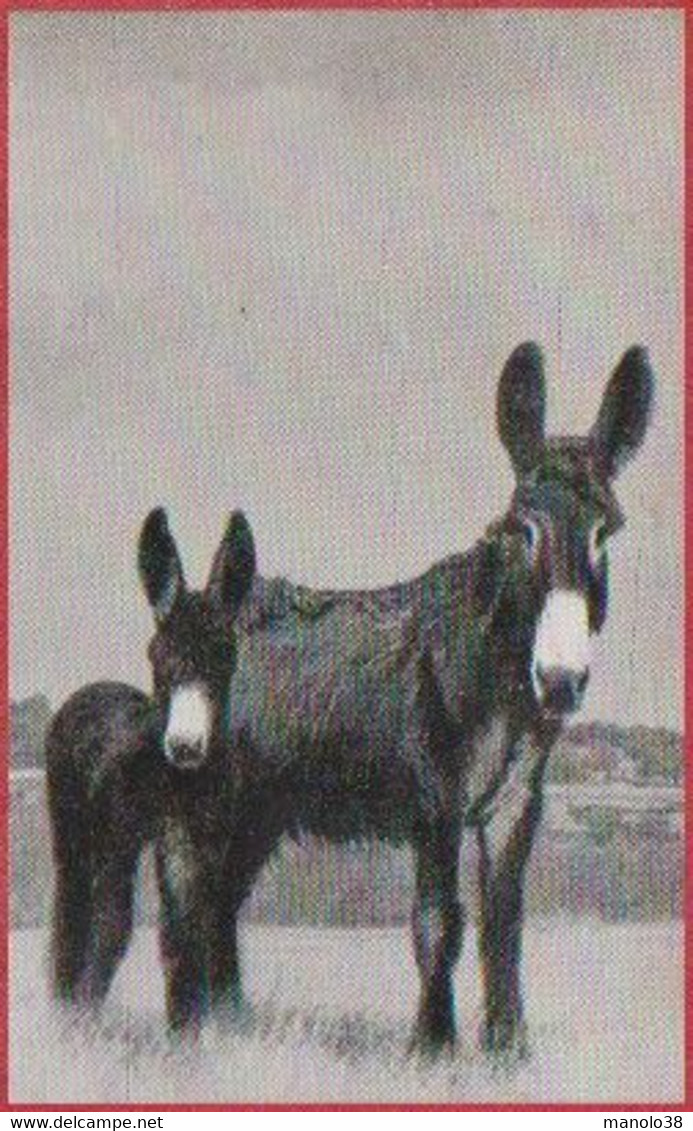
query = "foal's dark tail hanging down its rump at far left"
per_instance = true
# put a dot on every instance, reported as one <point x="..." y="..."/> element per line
<point x="71" y="835"/>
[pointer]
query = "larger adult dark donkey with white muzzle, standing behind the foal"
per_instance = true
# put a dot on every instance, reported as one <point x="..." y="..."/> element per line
<point x="412" y="712"/>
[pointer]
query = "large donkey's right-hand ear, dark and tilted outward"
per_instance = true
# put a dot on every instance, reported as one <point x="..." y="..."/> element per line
<point x="626" y="412"/>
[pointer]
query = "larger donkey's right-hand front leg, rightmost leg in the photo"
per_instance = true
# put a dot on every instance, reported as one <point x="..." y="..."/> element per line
<point x="505" y="848"/>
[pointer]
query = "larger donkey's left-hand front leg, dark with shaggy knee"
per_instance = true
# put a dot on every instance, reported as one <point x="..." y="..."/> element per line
<point x="438" y="925"/>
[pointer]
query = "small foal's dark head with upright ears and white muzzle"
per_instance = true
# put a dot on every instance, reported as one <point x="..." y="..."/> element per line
<point x="193" y="652"/>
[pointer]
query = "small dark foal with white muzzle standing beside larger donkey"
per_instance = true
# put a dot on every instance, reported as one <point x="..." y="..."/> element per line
<point x="119" y="769"/>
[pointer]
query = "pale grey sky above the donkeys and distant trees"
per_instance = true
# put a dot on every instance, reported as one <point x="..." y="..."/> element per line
<point x="278" y="261"/>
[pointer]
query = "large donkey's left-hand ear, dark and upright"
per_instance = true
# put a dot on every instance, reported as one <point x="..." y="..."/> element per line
<point x="522" y="407"/>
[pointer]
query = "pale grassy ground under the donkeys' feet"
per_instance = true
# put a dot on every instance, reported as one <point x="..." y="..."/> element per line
<point x="332" y="1015"/>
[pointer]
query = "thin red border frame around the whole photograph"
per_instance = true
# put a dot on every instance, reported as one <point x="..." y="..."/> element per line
<point x="6" y="10"/>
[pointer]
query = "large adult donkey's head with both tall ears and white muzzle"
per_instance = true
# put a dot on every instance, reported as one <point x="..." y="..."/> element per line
<point x="564" y="514"/>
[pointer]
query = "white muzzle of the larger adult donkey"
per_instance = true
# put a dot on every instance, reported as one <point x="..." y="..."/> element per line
<point x="560" y="664"/>
